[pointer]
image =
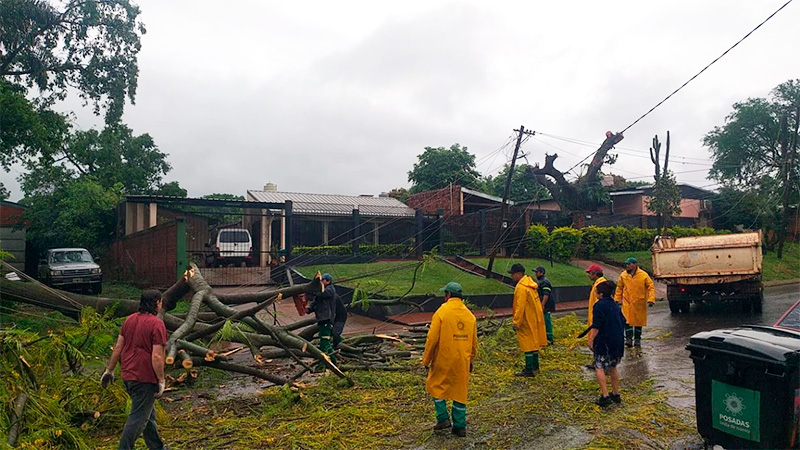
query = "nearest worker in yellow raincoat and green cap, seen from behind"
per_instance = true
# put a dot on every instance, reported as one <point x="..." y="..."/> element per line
<point x="449" y="351"/>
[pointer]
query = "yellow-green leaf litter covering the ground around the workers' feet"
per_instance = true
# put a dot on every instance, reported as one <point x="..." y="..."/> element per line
<point x="391" y="410"/>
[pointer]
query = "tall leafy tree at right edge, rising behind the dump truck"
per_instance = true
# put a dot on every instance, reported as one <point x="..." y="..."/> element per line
<point x="749" y="160"/>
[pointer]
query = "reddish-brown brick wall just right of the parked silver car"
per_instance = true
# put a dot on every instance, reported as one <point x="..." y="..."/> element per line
<point x="147" y="258"/>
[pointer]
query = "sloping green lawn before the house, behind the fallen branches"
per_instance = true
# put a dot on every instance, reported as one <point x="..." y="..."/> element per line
<point x="394" y="278"/>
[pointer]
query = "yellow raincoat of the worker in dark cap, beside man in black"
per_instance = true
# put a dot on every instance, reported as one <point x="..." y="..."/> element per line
<point x="528" y="316"/>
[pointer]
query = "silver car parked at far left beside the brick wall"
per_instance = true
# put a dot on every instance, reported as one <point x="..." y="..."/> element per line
<point x="71" y="268"/>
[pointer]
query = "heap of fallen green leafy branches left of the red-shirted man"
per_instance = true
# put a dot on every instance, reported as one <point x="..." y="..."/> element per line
<point x="59" y="370"/>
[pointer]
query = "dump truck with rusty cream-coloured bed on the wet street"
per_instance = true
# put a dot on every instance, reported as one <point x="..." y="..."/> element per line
<point x="706" y="269"/>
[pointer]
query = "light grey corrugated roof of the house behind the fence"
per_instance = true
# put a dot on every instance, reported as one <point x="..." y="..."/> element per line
<point x="335" y="205"/>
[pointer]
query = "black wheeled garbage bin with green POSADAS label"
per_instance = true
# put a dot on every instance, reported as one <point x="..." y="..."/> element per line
<point x="747" y="386"/>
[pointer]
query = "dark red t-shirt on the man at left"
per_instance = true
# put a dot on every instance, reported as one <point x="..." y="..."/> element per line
<point x="140" y="333"/>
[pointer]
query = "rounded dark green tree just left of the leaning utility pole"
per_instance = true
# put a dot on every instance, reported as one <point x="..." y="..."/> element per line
<point x="438" y="167"/>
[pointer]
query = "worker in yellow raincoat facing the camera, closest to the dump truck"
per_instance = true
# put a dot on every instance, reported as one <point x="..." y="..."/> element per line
<point x="635" y="290"/>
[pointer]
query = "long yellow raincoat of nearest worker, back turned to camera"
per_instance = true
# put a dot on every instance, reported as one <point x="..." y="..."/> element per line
<point x="451" y="347"/>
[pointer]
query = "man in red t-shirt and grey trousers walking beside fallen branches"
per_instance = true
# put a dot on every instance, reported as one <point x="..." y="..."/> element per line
<point x="140" y="347"/>
